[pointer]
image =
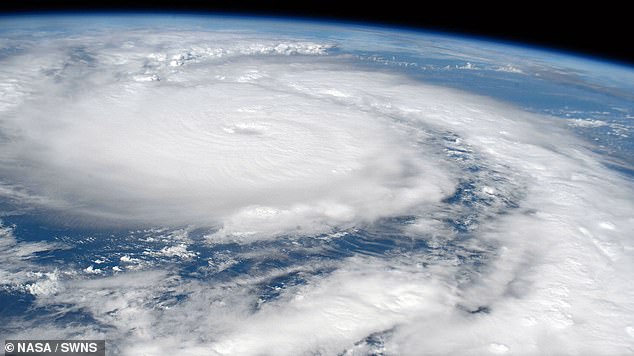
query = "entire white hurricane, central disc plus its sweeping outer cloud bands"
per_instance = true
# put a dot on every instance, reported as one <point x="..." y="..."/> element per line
<point x="264" y="138"/>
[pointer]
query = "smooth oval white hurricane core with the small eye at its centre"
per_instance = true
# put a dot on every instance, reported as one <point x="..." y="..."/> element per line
<point x="217" y="152"/>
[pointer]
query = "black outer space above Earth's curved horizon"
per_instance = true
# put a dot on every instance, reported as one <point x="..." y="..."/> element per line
<point x="597" y="29"/>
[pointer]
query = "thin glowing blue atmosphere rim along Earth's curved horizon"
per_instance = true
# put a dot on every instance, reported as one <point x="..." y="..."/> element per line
<point x="321" y="20"/>
